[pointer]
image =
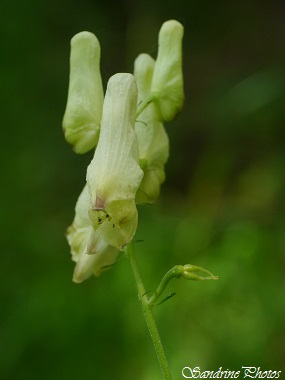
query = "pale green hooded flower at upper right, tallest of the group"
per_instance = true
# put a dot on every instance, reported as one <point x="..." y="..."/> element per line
<point x="167" y="84"/>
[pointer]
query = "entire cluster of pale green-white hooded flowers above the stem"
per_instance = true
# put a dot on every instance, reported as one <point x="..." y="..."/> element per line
<point x="131" y="146"/>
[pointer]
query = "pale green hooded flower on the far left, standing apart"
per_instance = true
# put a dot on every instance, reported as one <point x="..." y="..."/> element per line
<point x="81" y="122"/>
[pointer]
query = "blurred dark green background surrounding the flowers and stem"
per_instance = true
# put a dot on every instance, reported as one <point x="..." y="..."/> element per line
<point x="222" y="206"/>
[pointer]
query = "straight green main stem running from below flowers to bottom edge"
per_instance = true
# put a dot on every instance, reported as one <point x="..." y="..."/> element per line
<point x="147" y="311"/>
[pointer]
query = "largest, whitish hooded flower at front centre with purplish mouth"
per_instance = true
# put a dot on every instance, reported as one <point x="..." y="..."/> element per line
<point x="114" y="174"/>
